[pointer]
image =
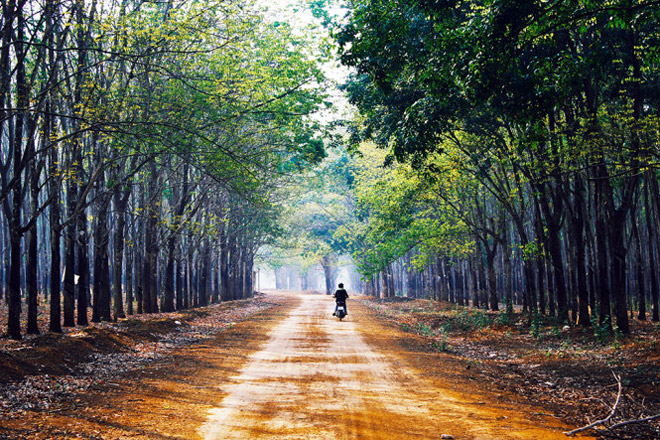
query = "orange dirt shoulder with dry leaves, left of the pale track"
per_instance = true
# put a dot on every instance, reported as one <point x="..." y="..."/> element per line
<point x="147" y="377"/>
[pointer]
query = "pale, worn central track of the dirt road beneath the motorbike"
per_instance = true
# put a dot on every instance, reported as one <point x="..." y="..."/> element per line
<point x="318" y="378"/>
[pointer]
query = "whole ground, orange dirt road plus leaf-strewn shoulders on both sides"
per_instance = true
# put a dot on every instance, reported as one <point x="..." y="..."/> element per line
<point x="182" y="375"/>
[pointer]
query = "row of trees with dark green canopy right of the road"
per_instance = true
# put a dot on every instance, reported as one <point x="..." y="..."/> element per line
<point x="528" y="137"/>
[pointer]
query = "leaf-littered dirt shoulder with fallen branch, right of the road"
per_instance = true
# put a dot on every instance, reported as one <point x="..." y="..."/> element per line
<point x="567" y="371"/>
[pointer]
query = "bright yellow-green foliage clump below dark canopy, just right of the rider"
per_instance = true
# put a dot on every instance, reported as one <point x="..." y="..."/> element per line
<point x="397" y="211"/>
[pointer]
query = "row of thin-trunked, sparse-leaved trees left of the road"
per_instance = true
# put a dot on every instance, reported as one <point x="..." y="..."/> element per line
<point x="144" y="146"/>
